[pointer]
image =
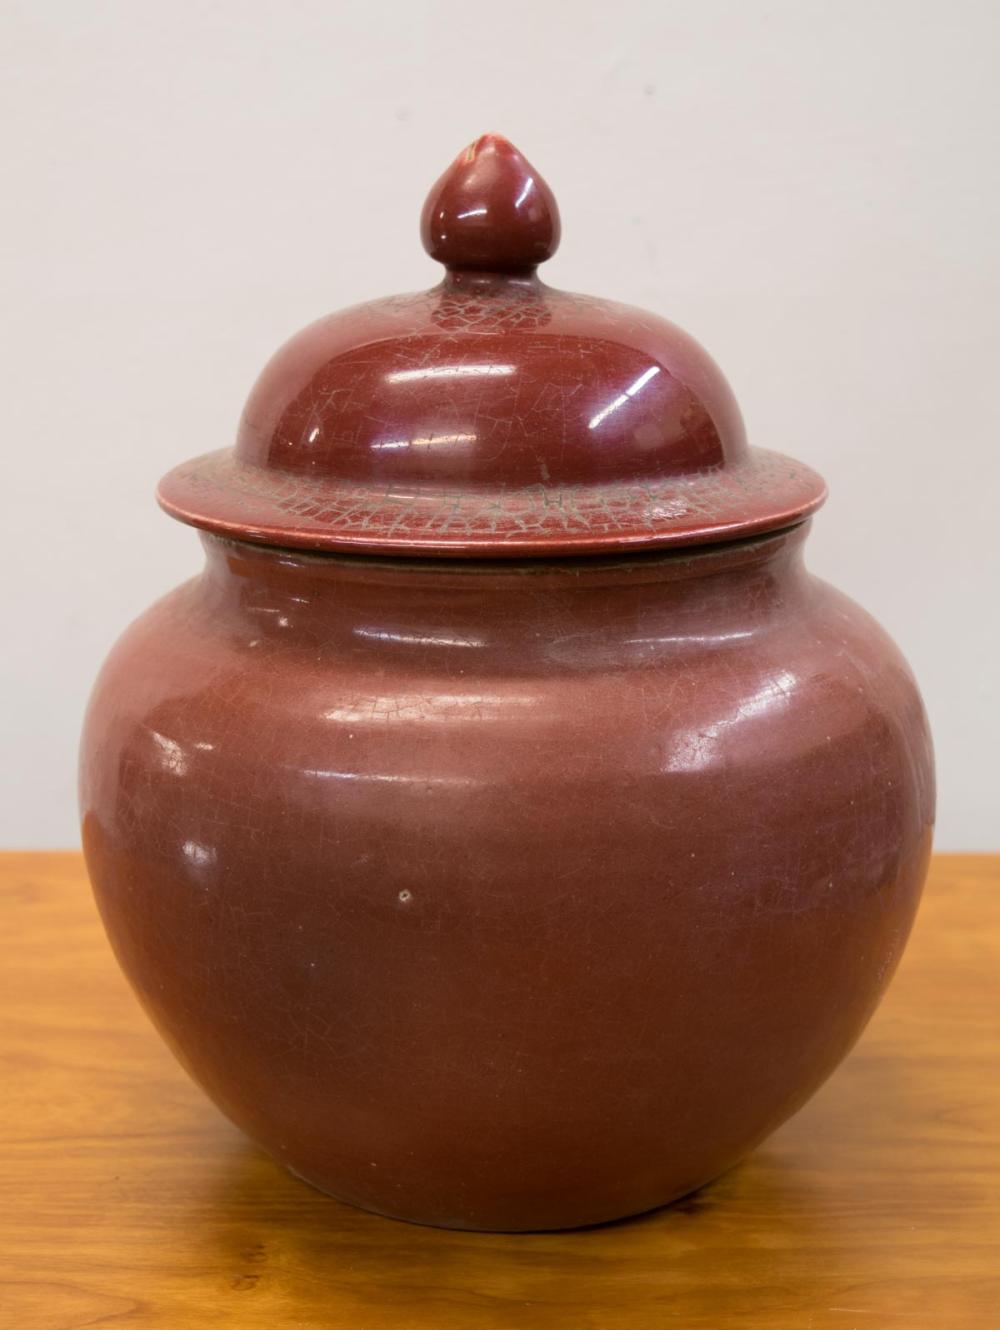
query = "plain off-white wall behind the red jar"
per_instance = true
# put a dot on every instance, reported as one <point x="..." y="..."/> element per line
<point x="809" y="188"/>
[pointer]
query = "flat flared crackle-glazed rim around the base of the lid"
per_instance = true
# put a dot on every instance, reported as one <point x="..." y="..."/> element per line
<point x="765" y="493"/>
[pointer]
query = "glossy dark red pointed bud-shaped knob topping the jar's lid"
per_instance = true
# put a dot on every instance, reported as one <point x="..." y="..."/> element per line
<point x="491" y="212"/>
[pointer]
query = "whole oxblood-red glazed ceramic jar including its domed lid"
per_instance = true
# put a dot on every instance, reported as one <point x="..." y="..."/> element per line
<point x="506" y="829"/>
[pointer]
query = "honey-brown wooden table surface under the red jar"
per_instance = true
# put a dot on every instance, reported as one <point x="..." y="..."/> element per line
<point x="130" y="1202"/>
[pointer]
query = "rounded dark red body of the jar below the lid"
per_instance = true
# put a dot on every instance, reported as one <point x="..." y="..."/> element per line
<point x="510" y="897"/>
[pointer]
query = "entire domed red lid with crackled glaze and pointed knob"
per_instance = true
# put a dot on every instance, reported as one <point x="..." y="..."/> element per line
<point x="491" y="416"/>
